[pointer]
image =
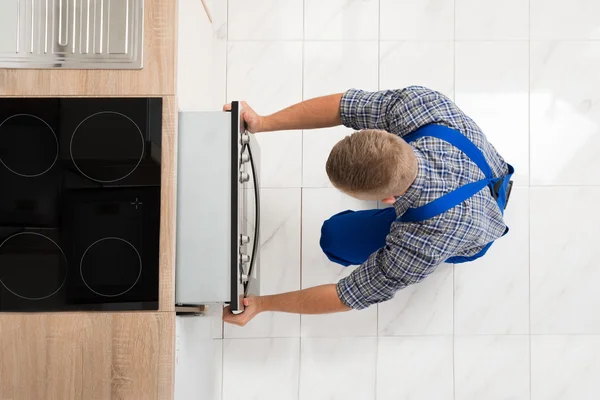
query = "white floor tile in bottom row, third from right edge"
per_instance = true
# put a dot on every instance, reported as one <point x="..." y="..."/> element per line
<point x="415" y="368"/>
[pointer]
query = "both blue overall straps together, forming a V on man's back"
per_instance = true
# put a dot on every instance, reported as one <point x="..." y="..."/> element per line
<point x="457" y="196"/>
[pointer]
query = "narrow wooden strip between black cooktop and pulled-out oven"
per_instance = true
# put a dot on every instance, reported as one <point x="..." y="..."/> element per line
<point x="168" y="205"/>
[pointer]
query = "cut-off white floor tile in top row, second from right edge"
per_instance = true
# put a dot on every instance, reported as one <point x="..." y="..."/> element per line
<point x="492" y="20"/>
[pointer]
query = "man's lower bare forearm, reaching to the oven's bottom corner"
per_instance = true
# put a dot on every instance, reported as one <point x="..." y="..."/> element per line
<point x="316" y="300"/>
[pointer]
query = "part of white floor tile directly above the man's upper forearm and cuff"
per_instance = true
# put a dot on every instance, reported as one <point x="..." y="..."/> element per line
<point x="334" y="67"/>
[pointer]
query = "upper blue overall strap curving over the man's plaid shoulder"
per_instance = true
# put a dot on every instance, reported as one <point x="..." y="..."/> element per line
<point x="456" y="139"/>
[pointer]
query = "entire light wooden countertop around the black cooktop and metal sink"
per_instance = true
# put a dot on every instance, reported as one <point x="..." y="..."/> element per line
<point x="128" y="355"/>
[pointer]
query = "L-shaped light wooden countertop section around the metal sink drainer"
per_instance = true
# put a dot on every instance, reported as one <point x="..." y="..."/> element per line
<point x="156" y="78"/>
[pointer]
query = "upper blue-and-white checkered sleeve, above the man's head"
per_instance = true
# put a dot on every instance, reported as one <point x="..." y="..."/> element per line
<point x="399" y="111"/>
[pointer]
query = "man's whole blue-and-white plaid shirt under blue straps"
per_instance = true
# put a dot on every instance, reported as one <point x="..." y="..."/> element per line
<point x="415" y="249"/>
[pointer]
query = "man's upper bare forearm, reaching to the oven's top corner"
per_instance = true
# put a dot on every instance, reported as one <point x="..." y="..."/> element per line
<point x="320" y="112"/>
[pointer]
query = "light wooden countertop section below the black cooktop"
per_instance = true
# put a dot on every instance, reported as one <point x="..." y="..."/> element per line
<point x="87" y="356"/>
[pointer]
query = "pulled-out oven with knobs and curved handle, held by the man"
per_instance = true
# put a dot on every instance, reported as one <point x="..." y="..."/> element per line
<point x="218" y="210"/>
